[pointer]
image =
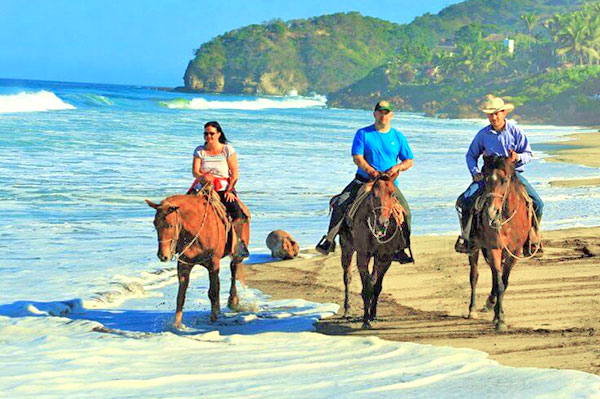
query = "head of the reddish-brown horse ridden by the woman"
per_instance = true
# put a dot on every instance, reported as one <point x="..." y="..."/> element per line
<point x="168" y="227"/>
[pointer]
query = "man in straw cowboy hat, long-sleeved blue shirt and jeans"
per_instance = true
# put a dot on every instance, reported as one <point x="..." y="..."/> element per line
<point x="501" y="138"/>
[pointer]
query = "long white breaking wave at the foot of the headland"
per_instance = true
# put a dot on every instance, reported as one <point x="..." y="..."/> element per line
<point x="256" y="104"/>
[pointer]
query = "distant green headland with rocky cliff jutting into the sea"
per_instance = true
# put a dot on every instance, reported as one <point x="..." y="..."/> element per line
<point x="319" y="54"/>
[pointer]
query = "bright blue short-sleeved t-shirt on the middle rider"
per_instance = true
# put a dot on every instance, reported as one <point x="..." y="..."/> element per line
<point x="380" y="150"/>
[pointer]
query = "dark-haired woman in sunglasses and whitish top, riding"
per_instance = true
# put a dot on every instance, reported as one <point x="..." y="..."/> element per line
<point x="216" y="162"/>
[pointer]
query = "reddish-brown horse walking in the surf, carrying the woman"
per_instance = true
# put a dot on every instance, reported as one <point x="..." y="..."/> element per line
<point x="188" y="225"/>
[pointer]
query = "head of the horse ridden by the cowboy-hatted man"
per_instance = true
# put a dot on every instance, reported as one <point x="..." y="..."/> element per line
<point x="497" y="174"/>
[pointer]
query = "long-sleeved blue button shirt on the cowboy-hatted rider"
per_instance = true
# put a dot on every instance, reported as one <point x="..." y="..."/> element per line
<point x="489" y="142"/>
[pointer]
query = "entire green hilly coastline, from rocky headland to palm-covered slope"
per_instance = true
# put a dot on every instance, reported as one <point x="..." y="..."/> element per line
<point x="440" y="64"/>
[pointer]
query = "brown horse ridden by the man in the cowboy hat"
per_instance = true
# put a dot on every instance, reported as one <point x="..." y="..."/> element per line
<point x="501" y="227"/>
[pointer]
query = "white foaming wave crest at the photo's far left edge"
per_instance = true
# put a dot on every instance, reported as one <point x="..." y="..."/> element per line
<point x="32" y="102"/>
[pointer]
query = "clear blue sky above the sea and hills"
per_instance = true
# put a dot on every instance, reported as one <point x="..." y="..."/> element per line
<point x="147" y="42"/>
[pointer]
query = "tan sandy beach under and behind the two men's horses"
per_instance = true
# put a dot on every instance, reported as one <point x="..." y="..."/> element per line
<point x="552" y="305"/>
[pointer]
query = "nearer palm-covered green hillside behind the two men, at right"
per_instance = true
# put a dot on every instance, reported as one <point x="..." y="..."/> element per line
<point x="553" y="74"/>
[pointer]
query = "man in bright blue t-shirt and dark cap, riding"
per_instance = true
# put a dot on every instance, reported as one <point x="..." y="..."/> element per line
<point x="376" y="149"/>
